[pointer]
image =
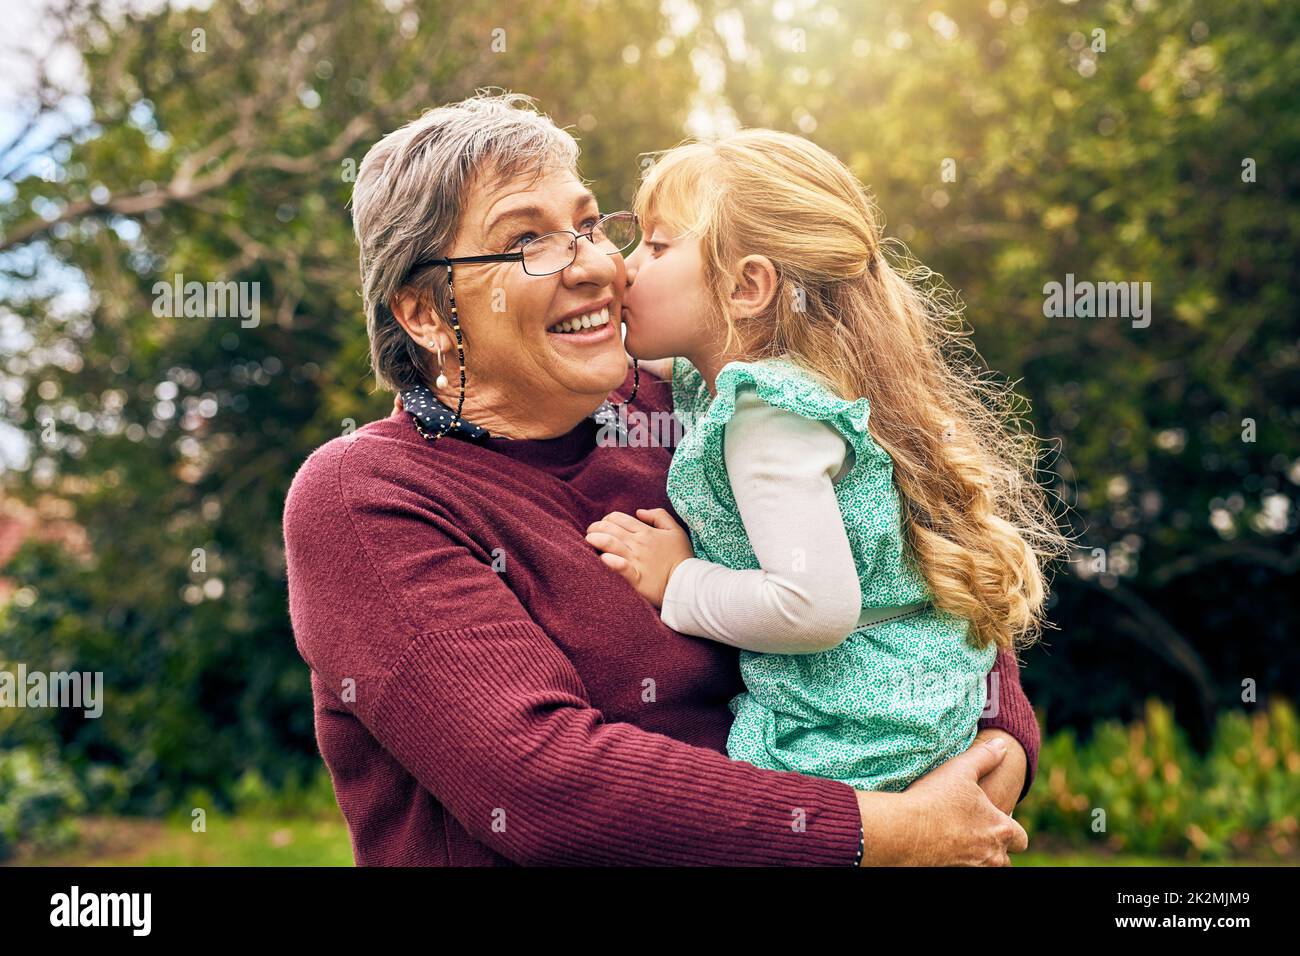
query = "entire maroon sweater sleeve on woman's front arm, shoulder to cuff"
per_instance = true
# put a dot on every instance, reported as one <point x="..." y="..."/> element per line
<point x="483" y="708"/>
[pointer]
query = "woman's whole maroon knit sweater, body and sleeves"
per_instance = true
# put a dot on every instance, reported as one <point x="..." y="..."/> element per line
<point x="488" y="693"/>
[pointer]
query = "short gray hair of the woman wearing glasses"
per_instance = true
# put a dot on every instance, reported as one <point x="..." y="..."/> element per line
<point x="410" y="194"/>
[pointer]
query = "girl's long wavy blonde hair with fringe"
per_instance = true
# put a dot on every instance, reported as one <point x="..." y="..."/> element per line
<point x="978" y="524"/>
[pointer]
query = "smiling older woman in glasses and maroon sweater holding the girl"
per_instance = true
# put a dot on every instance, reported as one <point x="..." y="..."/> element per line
<point x="487" y="690"/>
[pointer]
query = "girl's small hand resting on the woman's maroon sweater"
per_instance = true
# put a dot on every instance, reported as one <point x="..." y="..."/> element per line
<point x="644" y="551"/>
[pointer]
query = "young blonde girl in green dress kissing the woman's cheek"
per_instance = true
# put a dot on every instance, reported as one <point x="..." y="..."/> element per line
<point x="863" y="509"/>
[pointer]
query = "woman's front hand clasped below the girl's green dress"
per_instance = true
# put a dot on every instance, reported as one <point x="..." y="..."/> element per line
<point x="943" y="819"/>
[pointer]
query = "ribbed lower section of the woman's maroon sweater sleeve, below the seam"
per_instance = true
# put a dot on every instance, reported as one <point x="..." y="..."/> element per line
<point x="495" y="724"/>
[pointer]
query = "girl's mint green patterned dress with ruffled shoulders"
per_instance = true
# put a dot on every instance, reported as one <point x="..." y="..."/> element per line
<point x="895" y="699"/>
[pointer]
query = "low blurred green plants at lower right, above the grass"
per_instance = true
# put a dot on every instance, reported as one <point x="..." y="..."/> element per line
<point x="1143" y="790"/>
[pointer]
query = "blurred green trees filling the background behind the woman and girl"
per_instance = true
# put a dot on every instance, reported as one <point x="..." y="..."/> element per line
<point x="233" y="163"/>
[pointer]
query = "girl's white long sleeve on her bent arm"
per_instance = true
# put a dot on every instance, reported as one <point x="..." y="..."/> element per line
<point x="807" y="595"/>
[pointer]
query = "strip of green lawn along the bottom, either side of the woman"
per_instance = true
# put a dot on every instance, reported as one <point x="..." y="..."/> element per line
<point x="265" y="841"/>
